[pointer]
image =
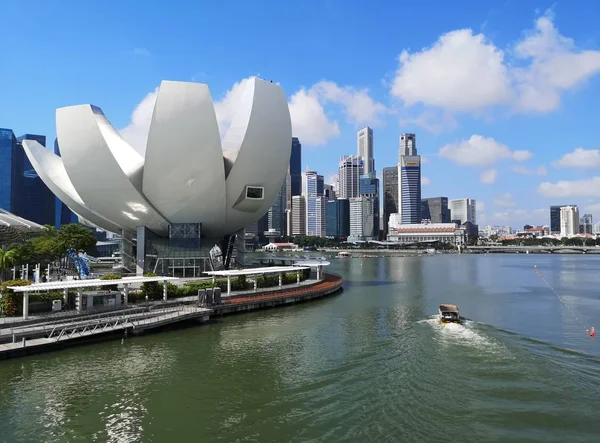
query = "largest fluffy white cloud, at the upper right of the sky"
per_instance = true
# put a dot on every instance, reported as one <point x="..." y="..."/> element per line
<point x="465" y="72"/>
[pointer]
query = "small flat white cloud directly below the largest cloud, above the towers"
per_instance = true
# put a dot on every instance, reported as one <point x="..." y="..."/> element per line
<point x="480" y="151"/>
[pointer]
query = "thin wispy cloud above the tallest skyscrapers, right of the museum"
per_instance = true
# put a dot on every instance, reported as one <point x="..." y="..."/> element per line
<point x="360" y="108"/>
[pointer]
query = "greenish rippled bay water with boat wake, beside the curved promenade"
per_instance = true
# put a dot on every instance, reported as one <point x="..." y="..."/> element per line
<point x="368" y="365"/>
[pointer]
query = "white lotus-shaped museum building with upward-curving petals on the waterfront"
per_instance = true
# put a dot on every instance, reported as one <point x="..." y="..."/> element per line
<point x="178" y="206"/>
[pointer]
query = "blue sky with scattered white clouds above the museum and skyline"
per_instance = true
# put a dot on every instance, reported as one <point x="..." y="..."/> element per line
<point x="503" y="96"/>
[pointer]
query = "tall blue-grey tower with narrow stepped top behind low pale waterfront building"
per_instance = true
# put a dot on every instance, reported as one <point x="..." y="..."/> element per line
<point x="409" y="180"/>
